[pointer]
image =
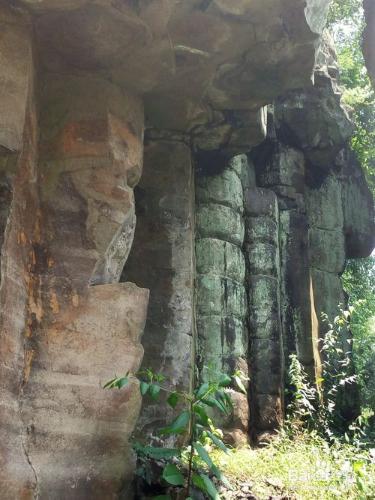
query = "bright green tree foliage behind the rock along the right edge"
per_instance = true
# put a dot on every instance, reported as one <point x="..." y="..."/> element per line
<point x="346" y="22"/>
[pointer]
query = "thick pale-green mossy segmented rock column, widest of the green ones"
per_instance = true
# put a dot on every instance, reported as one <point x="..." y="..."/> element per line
<point x="221" y="303"/>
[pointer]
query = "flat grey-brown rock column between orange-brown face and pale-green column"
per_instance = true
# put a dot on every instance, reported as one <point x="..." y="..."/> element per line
<point x="162" y="261"/>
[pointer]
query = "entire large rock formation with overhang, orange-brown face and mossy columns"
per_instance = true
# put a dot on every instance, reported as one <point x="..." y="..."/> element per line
<point x="240" y="253"/>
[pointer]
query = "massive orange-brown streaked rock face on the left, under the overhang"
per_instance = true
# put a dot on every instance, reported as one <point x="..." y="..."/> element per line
<point x="72" y="151"/>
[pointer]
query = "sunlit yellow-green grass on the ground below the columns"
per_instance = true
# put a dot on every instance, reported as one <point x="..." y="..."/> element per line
<point x="304" y="467"/>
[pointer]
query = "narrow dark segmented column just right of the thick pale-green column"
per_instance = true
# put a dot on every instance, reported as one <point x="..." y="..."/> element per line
<point x="262" y="257"/>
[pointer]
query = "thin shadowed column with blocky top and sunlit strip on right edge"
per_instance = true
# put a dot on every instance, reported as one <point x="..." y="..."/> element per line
<point x="283" y="171"/>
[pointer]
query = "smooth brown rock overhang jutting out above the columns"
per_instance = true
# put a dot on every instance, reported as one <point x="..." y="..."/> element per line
<point x="193" y="61"/>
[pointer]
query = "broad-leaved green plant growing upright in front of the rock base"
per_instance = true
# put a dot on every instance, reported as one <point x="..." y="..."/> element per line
<point x="193" y="427"/>
